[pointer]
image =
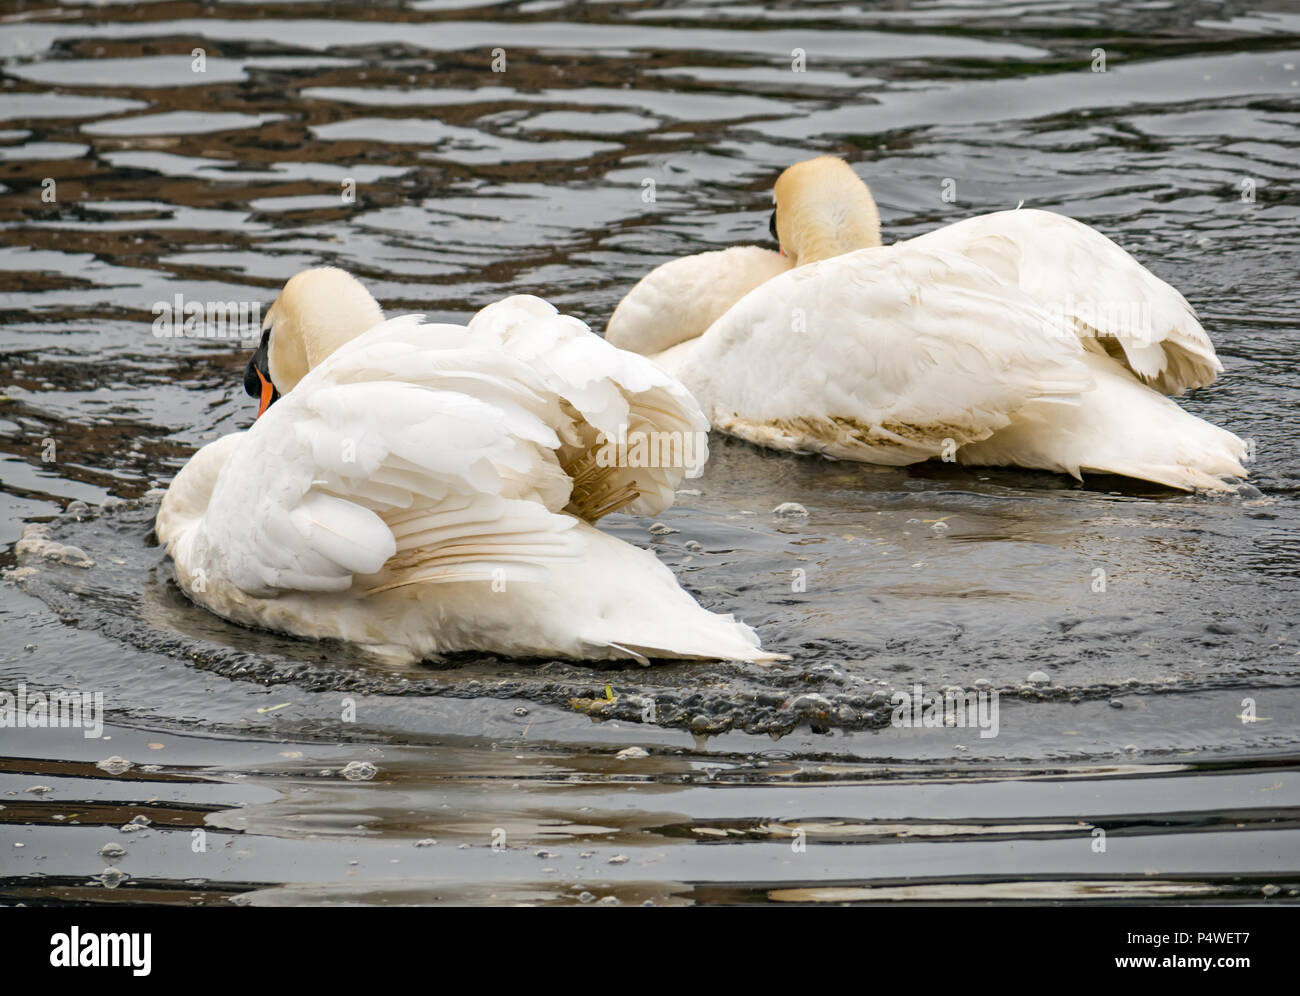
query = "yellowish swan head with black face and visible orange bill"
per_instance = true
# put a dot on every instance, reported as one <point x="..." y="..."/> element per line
<point x="317" y="313"/>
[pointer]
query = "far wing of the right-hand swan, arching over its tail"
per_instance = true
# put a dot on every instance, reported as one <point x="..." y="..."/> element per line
<point x="1094" y="289"/>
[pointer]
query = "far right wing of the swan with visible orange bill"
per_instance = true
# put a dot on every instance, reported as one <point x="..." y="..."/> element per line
<point x="638" y="431"/>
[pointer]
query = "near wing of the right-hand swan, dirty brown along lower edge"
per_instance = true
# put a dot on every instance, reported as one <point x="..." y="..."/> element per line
<point x="887" y="356"/>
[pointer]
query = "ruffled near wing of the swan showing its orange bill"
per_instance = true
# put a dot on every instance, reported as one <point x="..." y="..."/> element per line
<point x="410" y="456"/>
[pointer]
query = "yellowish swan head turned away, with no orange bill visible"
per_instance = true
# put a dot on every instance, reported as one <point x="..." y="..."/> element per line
<point x="824" y="210"/>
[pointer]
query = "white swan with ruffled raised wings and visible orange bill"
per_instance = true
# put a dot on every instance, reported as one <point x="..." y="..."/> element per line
<point x="421" y="490"/>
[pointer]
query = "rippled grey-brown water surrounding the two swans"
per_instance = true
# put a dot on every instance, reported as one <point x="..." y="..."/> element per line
<point x="474" y="184"/>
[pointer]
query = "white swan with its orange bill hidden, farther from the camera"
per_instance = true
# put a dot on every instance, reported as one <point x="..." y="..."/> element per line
<point x="1020" y="339"/>
